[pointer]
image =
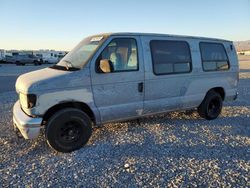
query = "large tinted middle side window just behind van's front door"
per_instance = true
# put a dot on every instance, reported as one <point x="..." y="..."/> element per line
<point x="170" y="57"/>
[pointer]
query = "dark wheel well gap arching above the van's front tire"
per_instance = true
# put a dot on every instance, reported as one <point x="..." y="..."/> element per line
<point x="79" y="105"/>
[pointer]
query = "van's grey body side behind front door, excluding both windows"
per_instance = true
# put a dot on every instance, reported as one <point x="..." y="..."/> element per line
<point x="186" y="90"/>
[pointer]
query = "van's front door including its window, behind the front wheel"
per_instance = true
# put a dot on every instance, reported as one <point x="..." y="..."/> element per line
<point x="119" y="93"/>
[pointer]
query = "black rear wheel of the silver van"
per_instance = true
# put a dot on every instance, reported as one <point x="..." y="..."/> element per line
<point x="211" y="106"/>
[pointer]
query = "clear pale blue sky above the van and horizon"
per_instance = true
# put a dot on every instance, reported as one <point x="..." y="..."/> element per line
<point x="61" y="24"/>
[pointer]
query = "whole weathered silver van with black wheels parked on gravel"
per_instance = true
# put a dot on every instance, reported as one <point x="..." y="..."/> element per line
<point x="121" y="76"/>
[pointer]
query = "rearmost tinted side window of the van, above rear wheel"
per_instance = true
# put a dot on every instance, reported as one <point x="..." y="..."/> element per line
<point x="214" y="57"/>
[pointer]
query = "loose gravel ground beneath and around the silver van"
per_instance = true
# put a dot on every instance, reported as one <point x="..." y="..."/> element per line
<point x="175" y="149"/>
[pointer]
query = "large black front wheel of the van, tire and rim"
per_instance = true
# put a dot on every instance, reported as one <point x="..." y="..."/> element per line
<point x="68" y="130"/>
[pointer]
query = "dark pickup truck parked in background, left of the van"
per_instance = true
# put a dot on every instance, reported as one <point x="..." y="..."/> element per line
<point x="23" y="59"/>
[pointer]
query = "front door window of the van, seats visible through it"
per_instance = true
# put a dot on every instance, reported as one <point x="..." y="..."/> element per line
<point x="122" y="55"/>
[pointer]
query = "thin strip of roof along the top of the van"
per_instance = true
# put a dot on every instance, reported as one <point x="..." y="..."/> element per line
<point x="162" y="35"/>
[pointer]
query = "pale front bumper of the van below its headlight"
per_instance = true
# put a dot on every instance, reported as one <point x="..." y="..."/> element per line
<point x="28" y="126"/>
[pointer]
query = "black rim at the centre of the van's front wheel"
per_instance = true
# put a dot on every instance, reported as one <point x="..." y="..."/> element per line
<point x="70" y="132"/>
